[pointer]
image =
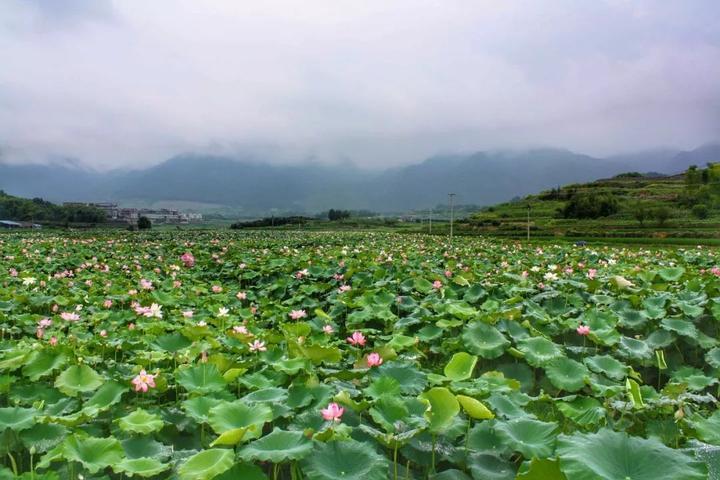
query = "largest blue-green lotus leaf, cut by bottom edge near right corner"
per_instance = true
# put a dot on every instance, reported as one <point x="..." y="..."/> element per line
<point x="609" y="455"/>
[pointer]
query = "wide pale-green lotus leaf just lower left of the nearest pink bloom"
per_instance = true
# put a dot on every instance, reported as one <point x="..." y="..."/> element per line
<point x="277" y="447"/>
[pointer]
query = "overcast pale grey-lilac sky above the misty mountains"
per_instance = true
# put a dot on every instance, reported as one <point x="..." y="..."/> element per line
<point x="129" y="83"/>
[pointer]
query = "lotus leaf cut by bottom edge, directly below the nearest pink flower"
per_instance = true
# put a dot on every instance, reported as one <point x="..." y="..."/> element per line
<point x="349" y="460"/>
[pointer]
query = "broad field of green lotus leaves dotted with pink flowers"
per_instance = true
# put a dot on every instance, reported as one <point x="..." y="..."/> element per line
<point x="217" y="355"/>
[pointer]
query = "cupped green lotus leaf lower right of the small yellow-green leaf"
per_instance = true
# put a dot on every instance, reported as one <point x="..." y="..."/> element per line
<point x="532" y="438"/>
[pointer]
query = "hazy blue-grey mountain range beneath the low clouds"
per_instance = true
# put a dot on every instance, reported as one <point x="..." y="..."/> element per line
<point x="253" y="187"/>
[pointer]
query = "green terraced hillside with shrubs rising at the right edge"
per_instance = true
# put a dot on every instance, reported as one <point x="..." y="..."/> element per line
<point x="630" y="205"/>
